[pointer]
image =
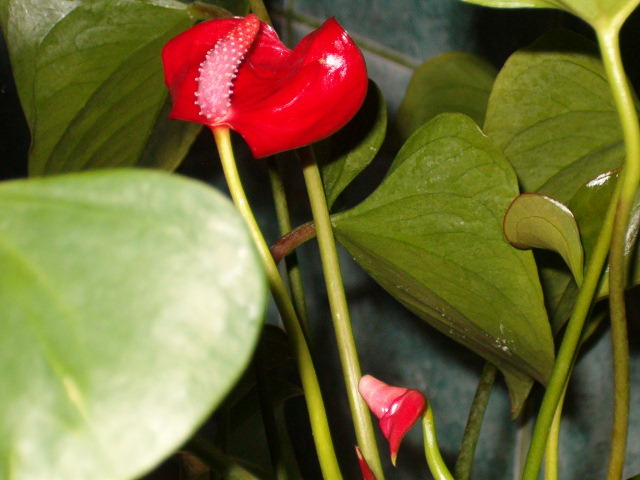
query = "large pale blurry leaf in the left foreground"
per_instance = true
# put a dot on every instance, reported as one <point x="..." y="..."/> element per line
<point x="131" y="303"/>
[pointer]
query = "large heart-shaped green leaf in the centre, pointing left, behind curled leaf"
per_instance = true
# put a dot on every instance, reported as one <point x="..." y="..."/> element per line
<point x="431" y="235"/>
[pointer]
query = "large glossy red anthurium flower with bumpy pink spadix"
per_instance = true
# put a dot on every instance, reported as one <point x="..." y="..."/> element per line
<point x="237" y="73"/>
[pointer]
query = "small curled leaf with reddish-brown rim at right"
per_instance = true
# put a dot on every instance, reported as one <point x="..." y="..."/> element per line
<point x="537" y="221"/>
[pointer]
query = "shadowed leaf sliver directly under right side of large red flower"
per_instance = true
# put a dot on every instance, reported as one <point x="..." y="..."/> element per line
<point x="345" y="154"/>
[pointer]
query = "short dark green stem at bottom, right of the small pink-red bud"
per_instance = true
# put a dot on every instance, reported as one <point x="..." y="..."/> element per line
<point x="474" y="422"/>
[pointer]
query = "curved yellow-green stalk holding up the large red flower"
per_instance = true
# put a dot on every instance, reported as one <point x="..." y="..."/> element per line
<point x="313" y="395"/>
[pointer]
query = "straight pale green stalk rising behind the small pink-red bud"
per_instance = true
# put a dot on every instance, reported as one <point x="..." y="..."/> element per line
<point x="340" y="311"/>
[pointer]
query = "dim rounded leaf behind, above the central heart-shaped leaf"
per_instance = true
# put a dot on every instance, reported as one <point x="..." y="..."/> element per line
<point x="454" y="82"/>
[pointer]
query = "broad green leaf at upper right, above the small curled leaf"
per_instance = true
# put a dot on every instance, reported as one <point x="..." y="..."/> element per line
<point x="552" y="114"/>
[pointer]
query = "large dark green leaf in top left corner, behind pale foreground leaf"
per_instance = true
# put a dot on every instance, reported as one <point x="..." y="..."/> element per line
<point x="90" y="80"/>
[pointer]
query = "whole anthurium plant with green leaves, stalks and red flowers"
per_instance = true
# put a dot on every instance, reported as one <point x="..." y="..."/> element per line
<point x="134" y="299"/>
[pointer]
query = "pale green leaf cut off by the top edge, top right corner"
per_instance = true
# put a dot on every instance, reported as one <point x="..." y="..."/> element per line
<point x="595" y="12"/>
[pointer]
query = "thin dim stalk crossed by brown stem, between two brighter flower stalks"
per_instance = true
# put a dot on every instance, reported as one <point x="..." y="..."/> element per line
<point x="291" y="261"/>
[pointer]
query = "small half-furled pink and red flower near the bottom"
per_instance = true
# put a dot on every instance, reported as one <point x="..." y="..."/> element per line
<point x="397" y="408"/>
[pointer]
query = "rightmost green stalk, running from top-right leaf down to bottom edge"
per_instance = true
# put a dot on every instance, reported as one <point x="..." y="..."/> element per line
<point x="608" y="38"/>
